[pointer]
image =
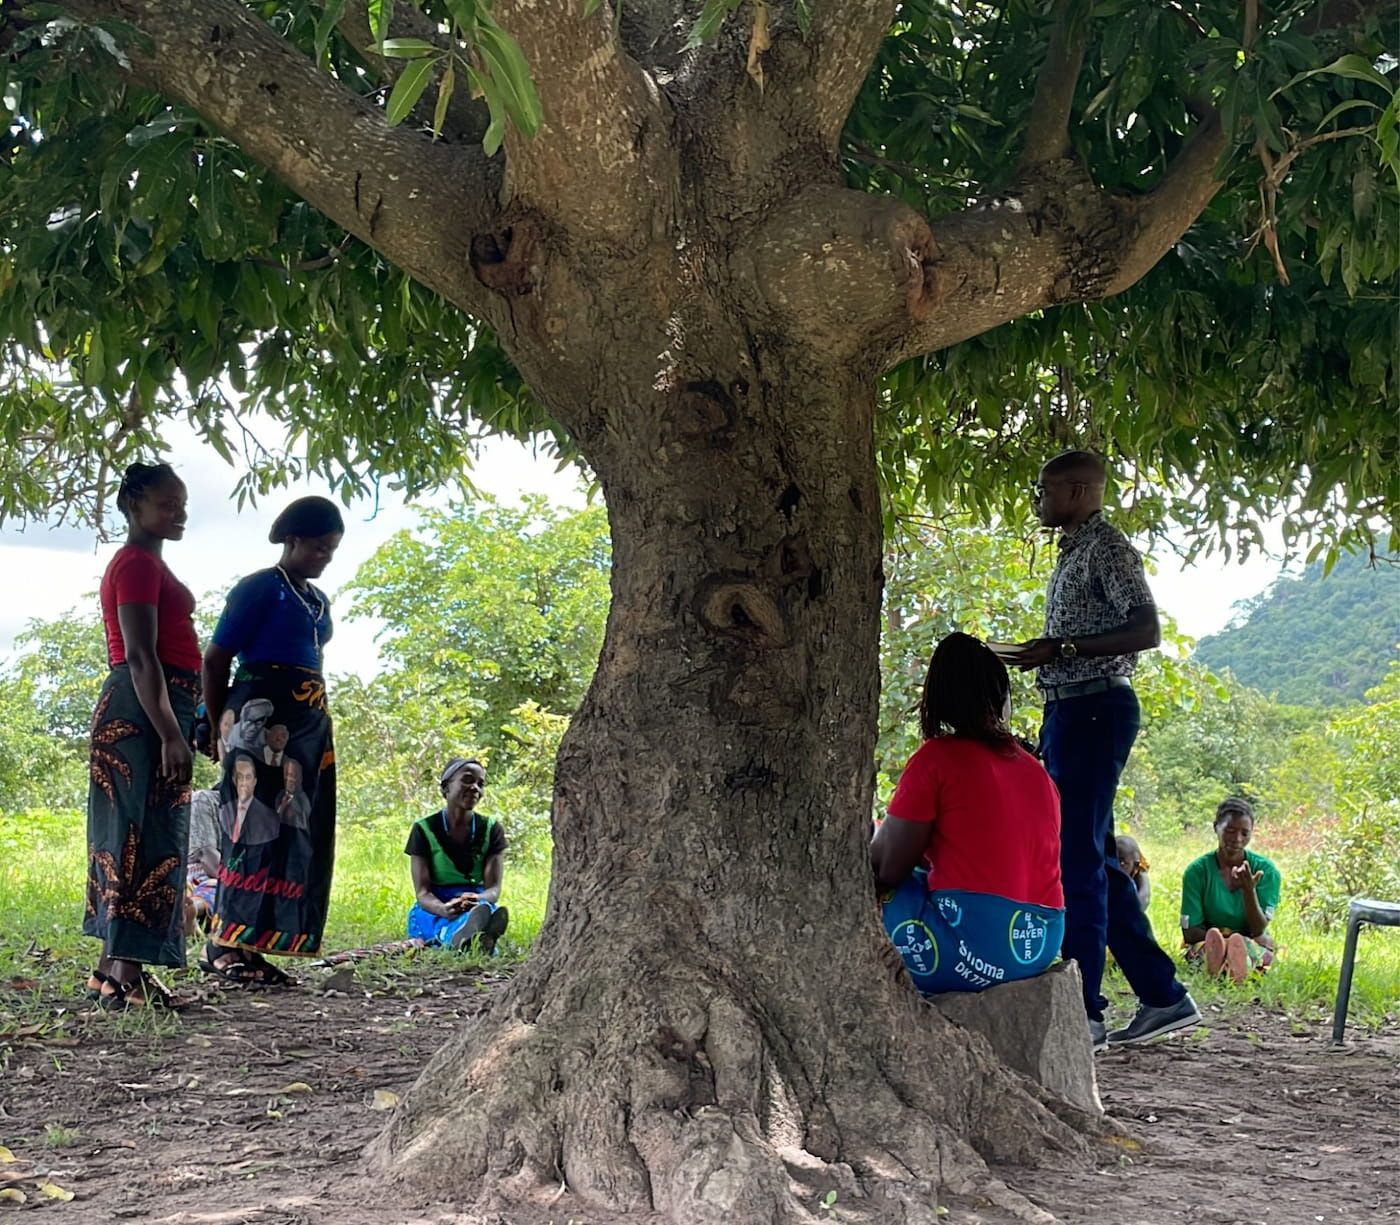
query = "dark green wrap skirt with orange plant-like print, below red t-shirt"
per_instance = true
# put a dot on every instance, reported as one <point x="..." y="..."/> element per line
<point x="138" y="825"/>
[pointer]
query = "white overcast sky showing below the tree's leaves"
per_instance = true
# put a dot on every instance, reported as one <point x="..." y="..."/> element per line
<point x="59" y="569"/>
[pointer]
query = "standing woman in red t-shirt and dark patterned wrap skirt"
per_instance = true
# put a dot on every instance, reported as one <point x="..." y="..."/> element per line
<point x="141" y="752"/>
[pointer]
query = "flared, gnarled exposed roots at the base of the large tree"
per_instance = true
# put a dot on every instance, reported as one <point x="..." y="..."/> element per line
<point x="673" y="1094"/>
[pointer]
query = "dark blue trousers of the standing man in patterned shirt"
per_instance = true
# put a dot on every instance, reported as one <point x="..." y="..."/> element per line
<point x="1086" y="744"/>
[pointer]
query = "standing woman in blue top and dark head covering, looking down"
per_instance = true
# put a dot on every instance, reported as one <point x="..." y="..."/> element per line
<point x="275" y="873"/>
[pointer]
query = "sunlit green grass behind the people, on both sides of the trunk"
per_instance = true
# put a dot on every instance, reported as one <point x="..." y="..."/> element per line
<point x="43" y="859"/>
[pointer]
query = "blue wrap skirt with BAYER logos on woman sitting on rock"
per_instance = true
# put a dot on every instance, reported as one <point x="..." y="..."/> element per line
<point x="954" y="940"/>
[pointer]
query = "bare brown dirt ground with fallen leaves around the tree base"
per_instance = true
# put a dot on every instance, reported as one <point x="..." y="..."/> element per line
<point x="257" y="1108"/>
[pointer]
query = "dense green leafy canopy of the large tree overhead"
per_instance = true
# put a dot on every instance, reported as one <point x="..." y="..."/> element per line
<point x="150" y="269"/>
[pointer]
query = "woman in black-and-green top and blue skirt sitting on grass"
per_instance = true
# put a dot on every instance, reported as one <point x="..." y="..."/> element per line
<point x="457" y="867"/>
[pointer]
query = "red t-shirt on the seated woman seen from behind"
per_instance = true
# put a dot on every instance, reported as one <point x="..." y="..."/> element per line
<point x="996" y="818"/>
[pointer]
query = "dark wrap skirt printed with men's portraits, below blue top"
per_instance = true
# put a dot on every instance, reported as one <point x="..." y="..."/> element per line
<point x="276" y="813"/>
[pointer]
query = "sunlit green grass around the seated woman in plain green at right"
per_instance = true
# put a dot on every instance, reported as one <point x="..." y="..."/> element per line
<point x="1303" y="981"/>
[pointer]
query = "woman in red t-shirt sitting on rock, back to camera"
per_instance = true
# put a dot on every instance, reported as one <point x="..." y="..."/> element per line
<point x="969" y="855"/>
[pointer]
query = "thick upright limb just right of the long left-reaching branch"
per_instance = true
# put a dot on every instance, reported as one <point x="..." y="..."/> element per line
<point x="604" y="148"/>
